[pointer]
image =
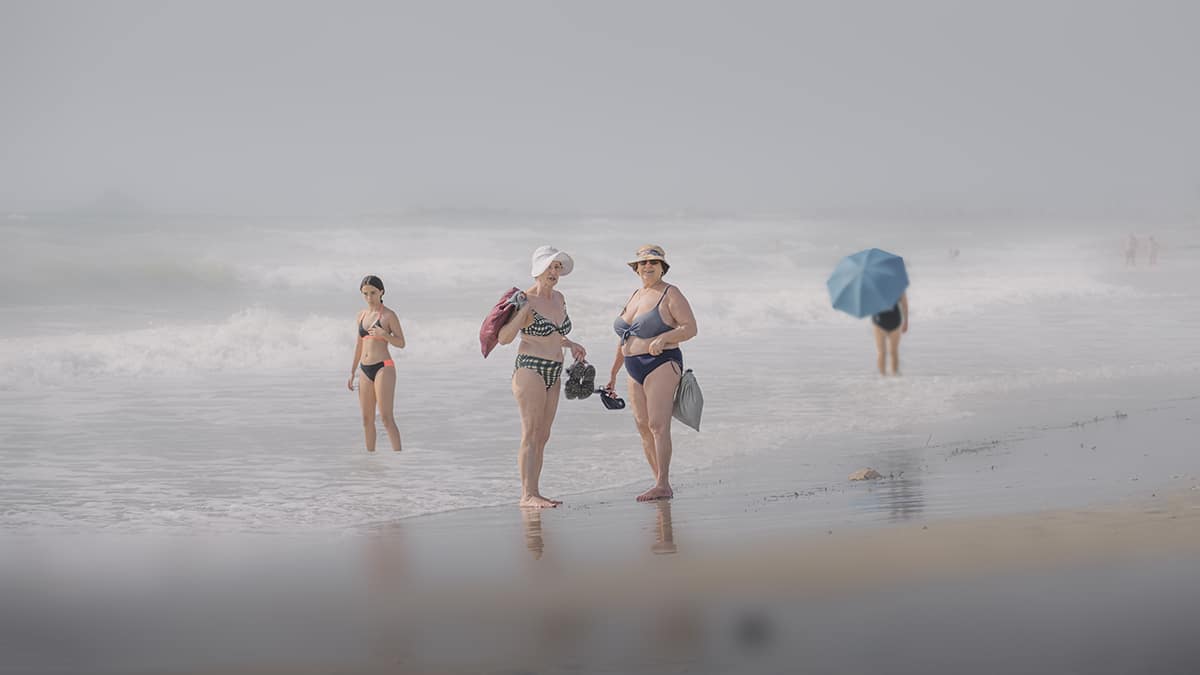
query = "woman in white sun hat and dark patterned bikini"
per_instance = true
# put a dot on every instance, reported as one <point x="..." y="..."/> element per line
<point x="543" y="324"/>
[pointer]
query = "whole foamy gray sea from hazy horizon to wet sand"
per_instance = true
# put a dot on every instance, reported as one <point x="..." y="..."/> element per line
<point x="171" y="413"/>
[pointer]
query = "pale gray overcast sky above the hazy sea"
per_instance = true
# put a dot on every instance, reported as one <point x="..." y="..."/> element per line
<point x="608" y="106"/>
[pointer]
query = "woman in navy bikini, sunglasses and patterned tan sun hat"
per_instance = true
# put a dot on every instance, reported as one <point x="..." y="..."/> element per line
<point x="653" y="324"/>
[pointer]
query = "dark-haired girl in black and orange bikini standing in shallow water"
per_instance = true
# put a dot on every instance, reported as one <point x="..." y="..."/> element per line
<point x="377" y="328"/>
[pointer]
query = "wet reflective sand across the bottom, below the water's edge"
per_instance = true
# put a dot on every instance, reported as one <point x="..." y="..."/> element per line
<point x="1071" y="548"/>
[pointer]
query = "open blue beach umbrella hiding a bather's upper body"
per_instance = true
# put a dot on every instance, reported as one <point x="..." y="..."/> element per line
<point x="868" y="283"/>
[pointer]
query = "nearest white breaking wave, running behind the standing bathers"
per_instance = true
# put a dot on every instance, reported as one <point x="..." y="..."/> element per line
<point x="257" y="338"/>
